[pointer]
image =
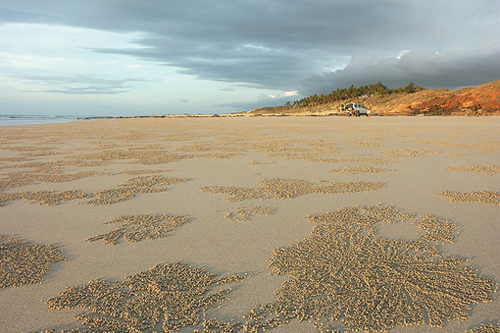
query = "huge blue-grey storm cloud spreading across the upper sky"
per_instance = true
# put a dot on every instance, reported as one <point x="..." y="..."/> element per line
<point x="278" y="43"/>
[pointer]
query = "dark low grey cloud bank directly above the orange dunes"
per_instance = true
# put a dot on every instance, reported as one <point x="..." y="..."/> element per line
<point x="450" y="69"/>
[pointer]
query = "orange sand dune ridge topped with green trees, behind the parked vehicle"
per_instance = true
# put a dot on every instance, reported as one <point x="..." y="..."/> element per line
<point x="411" y="100"/>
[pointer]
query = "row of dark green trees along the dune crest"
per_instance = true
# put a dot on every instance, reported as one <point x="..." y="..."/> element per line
<point x="352" y="92"/>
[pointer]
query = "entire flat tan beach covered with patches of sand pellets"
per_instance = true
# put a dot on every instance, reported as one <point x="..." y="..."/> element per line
<point x="378" y="223"/>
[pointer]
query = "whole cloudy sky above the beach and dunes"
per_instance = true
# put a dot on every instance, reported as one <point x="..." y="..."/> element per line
<point x="129" y="57"/>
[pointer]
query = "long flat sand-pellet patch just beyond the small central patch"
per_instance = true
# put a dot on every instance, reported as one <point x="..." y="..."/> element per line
<point x="281" y="188"/>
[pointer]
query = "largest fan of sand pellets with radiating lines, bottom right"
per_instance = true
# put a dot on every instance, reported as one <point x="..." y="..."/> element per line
<point x="344" y="272"/>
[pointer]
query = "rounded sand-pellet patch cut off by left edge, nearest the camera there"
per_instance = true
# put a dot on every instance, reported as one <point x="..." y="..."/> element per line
<point x="23" y="263"/>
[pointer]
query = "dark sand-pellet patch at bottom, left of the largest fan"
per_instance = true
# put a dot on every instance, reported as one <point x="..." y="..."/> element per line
<point x="173" y="296"/>
